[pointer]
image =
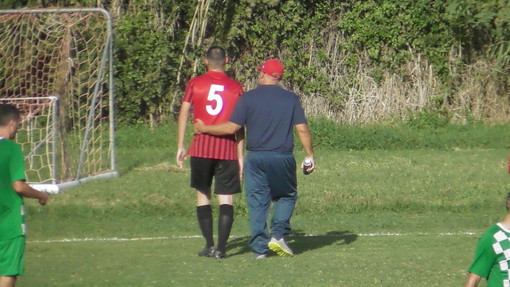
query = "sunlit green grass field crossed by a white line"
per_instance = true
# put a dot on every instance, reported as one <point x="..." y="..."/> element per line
<point x="372" y="217"/>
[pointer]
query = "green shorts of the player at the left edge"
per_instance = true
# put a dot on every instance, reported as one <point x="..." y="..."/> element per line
<point x="12" y="256"/>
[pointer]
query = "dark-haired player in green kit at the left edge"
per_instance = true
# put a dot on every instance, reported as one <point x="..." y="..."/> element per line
<point x="12" y="190"/>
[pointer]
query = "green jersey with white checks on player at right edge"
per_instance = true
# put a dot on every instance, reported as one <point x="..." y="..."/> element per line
<point x="492" y="257"/>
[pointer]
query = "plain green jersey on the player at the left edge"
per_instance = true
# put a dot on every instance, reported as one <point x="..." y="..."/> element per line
<point x="12" y="168"/>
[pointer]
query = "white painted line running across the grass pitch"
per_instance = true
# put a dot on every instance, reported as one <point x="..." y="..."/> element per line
<point x="122" y="239"/>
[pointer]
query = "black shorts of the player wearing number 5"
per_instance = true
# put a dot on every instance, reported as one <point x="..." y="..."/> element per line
<point x="225" y="173"/>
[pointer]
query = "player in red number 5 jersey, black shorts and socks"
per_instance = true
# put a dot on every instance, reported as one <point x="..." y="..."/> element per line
<point x="213" y="96"/>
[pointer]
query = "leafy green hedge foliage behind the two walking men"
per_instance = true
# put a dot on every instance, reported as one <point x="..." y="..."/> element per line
<point x="325" y="45"/>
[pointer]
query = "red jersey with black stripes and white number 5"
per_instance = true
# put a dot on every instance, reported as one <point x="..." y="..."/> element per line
<point x="213" y="97"/>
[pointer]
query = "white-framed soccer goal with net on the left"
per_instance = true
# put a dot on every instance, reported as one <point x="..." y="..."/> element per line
<point x="56" y="66"/>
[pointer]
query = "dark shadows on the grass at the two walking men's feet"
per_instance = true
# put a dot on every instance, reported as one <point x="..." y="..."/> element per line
<point x="299" y="241"/>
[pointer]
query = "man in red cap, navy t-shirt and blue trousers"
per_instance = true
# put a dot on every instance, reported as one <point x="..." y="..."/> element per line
<point x="270" y="113"/>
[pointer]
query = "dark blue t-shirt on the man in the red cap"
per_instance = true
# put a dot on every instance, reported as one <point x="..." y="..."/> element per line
<point x="269" y="113"/>
